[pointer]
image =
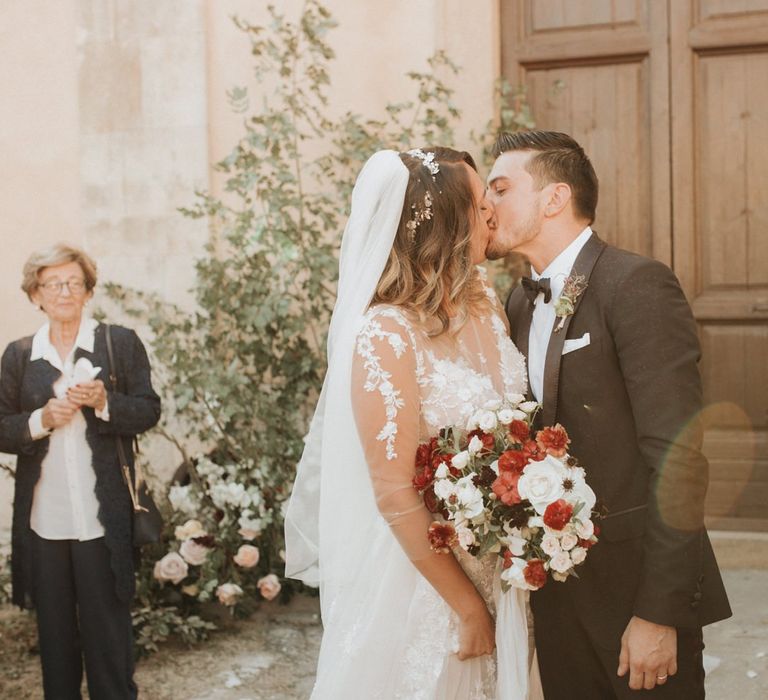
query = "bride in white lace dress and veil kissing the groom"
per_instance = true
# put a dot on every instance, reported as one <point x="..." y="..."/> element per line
<point x="417" y="341"/>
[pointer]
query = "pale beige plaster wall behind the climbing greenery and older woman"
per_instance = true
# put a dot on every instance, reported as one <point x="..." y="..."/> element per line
<point x="111" y="111"/>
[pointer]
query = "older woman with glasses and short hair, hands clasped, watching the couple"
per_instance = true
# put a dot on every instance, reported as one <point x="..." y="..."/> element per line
<point x="72" y="553"/>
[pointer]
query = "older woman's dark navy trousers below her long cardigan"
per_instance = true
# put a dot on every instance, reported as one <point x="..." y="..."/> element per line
<point x="79" y="616"/>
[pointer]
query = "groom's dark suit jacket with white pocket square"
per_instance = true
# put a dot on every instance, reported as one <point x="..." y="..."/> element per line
<point x="631" y="401"/>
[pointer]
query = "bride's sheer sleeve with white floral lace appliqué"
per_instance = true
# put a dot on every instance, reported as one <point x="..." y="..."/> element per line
<point x="386" y="405"/>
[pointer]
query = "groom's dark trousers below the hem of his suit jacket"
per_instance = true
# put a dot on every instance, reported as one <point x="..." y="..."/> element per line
<point x="574" y="666"/>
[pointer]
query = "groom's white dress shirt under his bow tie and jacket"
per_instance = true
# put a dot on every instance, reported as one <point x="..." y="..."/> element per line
<point x="544" y="314"/>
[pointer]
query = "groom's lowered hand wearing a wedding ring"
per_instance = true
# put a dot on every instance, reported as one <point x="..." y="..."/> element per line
<point x="649" y="653"/>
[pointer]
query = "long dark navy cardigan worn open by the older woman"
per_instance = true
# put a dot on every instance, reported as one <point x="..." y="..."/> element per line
<point x="27" y="385"/>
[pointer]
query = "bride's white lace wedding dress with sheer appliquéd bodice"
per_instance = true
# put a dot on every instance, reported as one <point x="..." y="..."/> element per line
<point x="390" y="635"/>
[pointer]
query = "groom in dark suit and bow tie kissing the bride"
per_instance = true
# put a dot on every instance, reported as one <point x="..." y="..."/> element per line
<point x="612" y="354"/>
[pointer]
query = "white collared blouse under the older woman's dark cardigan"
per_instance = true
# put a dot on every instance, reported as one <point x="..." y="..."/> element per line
<point x="64" y="506"/>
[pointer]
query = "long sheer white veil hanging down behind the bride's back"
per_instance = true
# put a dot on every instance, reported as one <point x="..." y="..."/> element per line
<point x="332" y="507"/>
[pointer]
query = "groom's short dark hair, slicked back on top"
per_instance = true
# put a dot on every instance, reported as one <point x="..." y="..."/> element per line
<point x="558" y="158"/>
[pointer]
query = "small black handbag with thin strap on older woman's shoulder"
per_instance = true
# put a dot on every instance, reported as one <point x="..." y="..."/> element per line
<point x="147" y="521"/>
